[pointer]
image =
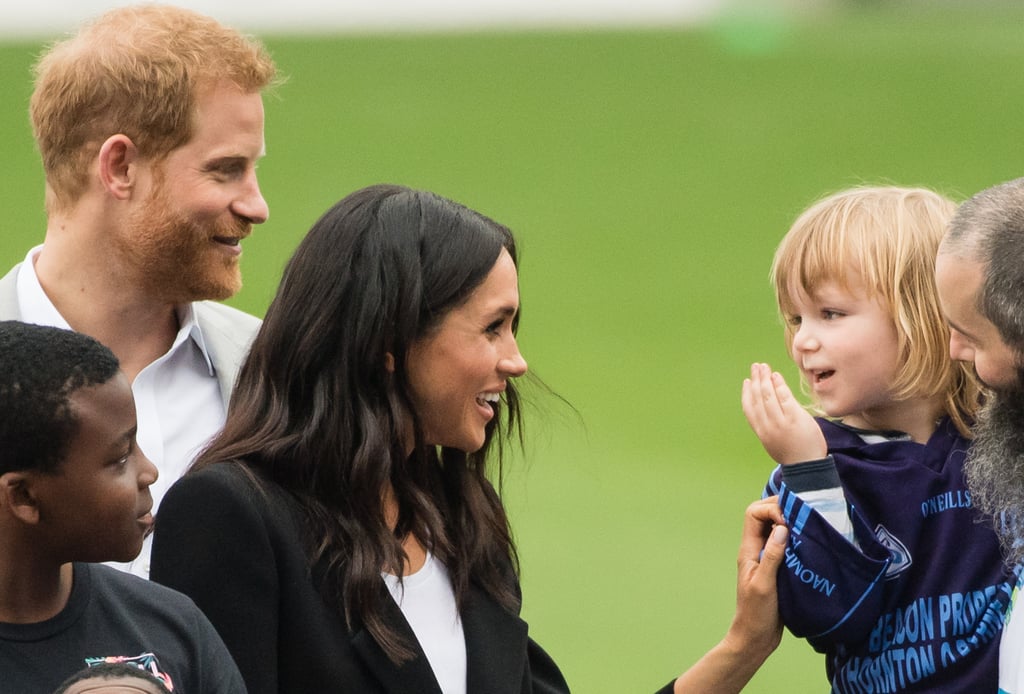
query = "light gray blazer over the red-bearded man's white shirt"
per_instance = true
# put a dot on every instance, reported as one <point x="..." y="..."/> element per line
<point x="228" y="332"/>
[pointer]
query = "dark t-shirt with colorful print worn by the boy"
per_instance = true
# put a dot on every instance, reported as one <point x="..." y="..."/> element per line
<point x="115" y="617"/>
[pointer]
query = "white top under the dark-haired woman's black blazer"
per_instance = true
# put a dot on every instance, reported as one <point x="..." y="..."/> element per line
<point x="428" y="601"/>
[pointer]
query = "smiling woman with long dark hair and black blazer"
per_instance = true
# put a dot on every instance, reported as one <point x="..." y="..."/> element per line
<point x="343" y="533"/>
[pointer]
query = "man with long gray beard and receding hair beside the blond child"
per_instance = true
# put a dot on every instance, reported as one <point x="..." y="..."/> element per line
<point x="979" y="272"/>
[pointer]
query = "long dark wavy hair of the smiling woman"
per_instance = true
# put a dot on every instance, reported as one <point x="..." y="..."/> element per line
<point x="317" y="410"/>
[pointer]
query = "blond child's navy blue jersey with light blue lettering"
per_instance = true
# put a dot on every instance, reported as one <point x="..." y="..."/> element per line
<point x="918" y="603"/>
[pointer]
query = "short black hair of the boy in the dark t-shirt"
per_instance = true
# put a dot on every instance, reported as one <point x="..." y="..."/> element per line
<point x="40" y="369"/>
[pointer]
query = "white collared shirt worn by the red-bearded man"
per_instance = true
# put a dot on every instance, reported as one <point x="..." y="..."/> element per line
<point x="178" y="398"/>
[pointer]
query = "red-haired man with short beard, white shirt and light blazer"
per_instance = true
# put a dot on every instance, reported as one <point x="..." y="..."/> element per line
<point x="150" y="124"/>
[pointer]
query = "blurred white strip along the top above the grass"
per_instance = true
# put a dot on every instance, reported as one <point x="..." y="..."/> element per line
<point x="52" y="18"/>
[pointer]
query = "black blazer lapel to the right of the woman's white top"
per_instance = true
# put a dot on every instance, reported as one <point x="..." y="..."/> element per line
<point x="496" y="646"/>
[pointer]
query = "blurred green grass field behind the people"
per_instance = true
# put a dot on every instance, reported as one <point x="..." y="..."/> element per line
<point x="650" y="176"/>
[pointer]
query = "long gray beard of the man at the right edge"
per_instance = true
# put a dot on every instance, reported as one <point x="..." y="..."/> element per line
<point x="995" y="469"/>
